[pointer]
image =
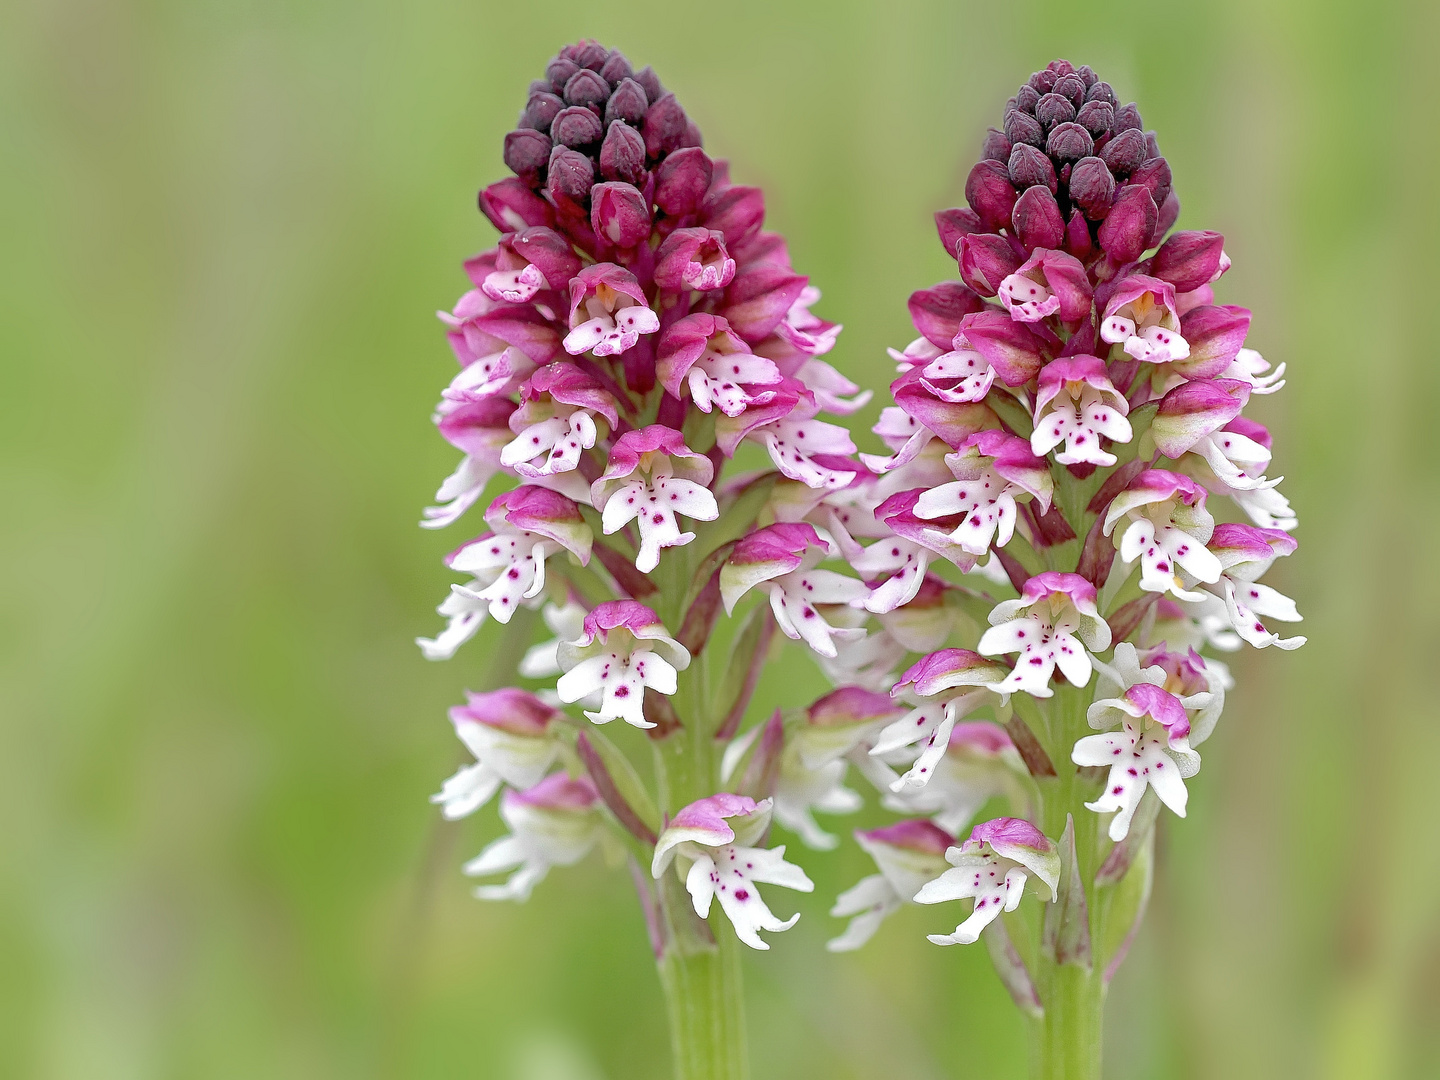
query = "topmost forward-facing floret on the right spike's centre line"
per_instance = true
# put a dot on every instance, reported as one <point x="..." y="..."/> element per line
<point x="1078" y="405"/>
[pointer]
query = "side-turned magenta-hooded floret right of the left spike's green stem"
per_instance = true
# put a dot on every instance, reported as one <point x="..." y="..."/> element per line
<point x="784" y="559"/>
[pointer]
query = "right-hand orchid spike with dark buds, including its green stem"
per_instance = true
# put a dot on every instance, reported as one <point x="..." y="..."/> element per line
<point x="1069" y="424"/>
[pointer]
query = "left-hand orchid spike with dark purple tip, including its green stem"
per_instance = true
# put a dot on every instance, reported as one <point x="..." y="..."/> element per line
<point x="633" y="330"/>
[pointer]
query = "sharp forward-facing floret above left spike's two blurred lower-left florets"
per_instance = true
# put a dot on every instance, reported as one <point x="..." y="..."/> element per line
<point x="623" y="652"/>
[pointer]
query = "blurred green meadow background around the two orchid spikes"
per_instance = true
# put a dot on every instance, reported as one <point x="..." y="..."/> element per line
<point x="225" y="228"/>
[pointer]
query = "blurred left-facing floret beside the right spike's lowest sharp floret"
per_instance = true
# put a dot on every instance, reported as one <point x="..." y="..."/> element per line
<point x="908" y="855"/>
